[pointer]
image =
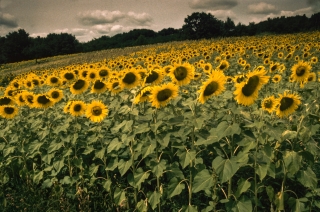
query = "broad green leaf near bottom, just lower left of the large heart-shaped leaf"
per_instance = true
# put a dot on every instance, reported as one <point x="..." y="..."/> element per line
<point x="203" y="180"/>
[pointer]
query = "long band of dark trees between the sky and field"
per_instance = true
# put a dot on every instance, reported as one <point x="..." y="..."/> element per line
<point x="18" y="45"/>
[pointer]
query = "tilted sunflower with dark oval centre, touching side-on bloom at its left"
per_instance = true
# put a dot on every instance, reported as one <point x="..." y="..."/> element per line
<point x="161" y="95"/>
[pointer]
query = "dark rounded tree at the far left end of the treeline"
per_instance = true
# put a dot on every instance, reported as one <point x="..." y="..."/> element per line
<point x="15" y="45"/>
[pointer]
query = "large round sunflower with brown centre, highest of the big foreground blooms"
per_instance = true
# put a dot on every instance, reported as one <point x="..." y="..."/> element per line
<point x="182" y="74"/>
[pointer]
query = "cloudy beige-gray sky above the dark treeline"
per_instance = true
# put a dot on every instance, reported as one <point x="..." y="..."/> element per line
<point x="89" y="19"/>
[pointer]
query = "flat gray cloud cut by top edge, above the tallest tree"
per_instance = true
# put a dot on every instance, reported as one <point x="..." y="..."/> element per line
<point x="213" y="4"/>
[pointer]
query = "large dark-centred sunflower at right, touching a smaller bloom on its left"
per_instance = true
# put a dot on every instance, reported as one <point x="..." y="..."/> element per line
<point x="287" y="104"/>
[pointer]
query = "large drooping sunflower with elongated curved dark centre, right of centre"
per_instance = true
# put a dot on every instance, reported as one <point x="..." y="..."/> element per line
<point x="247" y="92"/>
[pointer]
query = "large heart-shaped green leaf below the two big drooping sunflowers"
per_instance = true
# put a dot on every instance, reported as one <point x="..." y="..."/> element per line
<point x="225" y="168"/>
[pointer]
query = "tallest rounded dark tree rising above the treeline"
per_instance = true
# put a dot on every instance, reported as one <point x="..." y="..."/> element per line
<point x="202" y="25"/>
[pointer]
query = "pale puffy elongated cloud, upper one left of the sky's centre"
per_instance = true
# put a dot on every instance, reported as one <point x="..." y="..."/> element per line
<point x="96" y="17"/>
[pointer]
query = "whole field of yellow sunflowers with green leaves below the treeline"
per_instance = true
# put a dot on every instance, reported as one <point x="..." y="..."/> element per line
<point x="229" y="124"/>
